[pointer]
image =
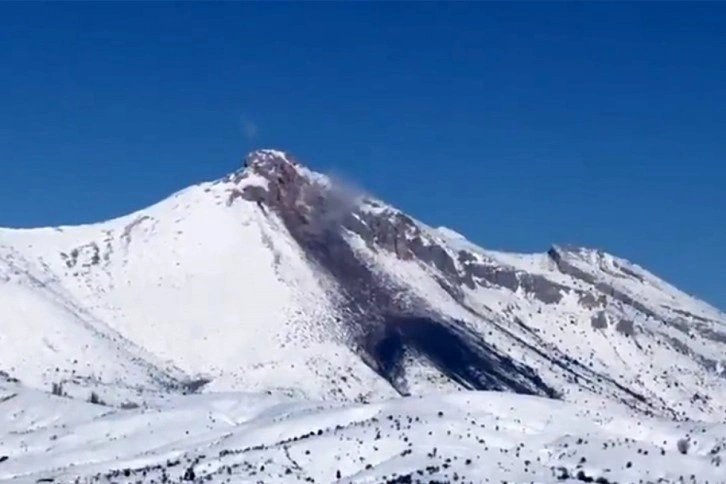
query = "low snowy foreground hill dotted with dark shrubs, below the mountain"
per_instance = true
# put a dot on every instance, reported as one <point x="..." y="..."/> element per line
<point x="472" y="437"/>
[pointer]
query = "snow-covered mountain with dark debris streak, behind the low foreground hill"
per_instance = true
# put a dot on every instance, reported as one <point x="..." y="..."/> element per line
<point x="279" y="279"/>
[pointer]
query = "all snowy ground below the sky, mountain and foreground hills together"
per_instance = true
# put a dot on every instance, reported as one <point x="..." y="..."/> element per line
<point x="276" y="326"/>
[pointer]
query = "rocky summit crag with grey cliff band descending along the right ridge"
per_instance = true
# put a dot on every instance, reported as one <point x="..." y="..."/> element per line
<point x="311" y="206"/>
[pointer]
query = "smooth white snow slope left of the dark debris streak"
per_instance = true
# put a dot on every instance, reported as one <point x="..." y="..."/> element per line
<point x="212" y="288"/>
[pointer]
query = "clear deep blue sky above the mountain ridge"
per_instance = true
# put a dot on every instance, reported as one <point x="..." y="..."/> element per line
<point x="520" y="125"/>
